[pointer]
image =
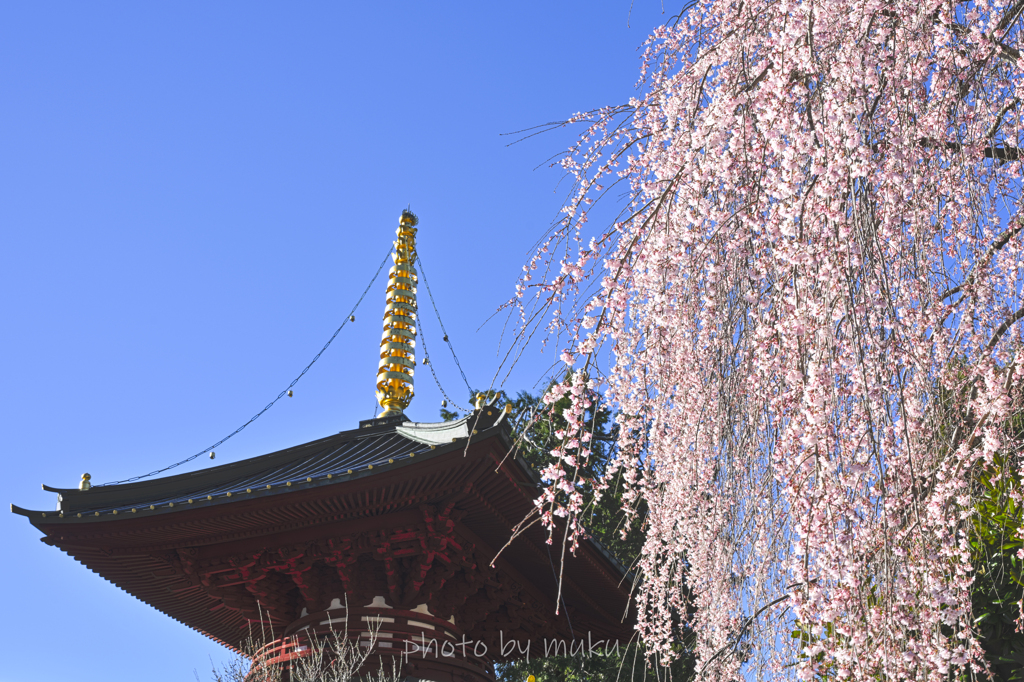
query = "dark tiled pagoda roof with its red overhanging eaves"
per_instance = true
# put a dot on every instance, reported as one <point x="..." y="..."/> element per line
<point x="387" y="475"/>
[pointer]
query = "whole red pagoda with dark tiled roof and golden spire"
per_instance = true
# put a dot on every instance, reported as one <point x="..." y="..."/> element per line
<point x="396" y="524"/>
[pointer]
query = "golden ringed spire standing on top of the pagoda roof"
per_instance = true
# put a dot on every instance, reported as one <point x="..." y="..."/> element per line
<point x="395" y="374"/>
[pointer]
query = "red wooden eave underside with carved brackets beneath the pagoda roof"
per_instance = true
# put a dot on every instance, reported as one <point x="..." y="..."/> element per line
<point x="422" y="533"/>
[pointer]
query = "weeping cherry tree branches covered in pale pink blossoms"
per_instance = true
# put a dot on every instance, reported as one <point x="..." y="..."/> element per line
<point x="807" y="317"/>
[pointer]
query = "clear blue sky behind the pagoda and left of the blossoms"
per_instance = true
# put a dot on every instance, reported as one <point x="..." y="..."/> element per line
<point x="193" y="196"/>
